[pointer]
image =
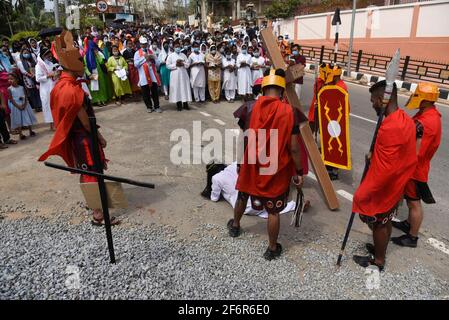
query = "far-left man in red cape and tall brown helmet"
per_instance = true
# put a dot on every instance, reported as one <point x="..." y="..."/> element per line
<point x="71" y="110"/>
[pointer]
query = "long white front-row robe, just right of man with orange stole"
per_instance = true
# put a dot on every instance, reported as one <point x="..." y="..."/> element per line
<point x="179" y="79"/>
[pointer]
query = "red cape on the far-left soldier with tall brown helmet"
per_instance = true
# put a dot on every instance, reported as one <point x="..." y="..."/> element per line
<point x="66" y="100"/>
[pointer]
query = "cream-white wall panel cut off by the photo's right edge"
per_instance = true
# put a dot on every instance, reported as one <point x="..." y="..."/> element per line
<point x="433" y="20"/>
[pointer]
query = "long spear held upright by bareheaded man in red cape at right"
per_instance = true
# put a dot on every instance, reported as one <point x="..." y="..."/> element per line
<point x="390" y="76"/>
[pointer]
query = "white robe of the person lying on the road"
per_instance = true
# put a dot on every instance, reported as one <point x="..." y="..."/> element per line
<point x="223" y="183"/>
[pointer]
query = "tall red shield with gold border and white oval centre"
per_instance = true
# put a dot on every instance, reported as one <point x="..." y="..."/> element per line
<point x="333" y="113"/>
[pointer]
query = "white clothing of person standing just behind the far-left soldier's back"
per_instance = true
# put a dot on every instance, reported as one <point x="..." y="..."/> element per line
<point x="43" y="68"/>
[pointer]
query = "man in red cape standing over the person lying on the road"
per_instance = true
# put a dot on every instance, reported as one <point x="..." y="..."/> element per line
<point x="271" y="159"/>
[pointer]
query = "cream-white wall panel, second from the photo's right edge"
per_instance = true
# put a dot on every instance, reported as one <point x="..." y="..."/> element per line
<point x="393" y="22"/>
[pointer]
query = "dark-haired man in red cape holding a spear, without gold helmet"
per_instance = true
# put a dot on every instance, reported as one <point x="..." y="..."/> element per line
<point x="393" y="162"/>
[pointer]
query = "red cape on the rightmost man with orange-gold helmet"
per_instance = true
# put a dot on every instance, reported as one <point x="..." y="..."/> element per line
<point x="431" y="121"/>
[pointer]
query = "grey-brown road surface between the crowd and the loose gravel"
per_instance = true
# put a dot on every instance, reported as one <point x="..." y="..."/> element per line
<point x="139" y="147"/>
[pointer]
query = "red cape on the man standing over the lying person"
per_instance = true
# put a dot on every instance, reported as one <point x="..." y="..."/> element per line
<point x="268" y="113"/>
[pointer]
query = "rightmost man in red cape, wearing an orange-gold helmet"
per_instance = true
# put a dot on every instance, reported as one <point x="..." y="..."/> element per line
<point x="428" y="134"/>
